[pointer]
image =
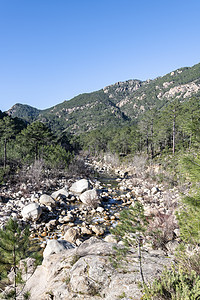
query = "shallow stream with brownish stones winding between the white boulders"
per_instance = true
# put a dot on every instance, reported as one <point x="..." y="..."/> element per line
<point x="105" y="216"/>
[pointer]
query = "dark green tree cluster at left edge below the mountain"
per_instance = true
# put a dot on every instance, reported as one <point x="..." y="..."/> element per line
<point x="24" y="145"/>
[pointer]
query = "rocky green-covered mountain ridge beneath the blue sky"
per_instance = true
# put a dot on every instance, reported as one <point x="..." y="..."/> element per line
<point x="117" y="104"/>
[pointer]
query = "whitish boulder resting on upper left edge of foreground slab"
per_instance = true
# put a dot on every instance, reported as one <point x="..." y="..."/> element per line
<point x="55" y="246"/>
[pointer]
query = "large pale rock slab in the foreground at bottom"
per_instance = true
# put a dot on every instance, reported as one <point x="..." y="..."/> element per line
<point x="86" y="272"/>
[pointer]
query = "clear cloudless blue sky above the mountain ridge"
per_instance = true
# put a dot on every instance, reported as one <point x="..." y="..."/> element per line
<point x="53" y="50"/>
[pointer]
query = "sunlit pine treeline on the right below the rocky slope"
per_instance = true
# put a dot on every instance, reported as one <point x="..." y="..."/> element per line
<point x="169" y="129"/>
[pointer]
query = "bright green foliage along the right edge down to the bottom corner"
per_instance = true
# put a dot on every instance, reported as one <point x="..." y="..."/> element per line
<point x="183" y="280"/>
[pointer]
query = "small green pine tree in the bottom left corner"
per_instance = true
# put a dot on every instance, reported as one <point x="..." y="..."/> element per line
<point x="14" y="243"/>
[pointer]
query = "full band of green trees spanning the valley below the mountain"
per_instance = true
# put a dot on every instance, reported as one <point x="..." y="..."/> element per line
<point x="166" y="130"/>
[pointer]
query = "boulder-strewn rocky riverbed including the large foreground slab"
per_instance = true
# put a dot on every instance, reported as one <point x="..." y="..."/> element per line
<point x="72" y="220"/>
